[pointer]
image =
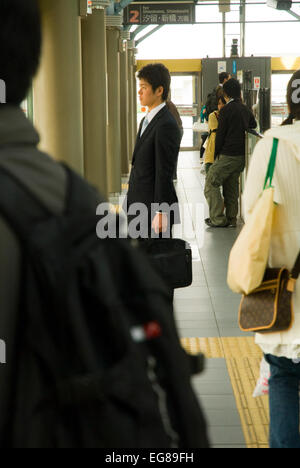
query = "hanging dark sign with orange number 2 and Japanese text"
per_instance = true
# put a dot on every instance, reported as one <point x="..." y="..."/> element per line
<point x="160" y="13"/>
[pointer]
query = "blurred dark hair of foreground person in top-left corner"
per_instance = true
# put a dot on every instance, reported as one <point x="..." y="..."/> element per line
<point x="20" y="45"/>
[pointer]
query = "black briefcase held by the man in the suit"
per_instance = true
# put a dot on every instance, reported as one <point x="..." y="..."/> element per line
<point x="172" y="258"/>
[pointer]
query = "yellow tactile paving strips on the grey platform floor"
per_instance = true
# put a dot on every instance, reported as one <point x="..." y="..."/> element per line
<point x="243" y="359"/>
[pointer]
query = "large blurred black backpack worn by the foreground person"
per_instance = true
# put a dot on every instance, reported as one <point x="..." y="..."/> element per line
<point x="98" y="361"/>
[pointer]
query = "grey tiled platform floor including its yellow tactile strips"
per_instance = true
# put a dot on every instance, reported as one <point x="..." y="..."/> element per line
<point x="206" y="315"/>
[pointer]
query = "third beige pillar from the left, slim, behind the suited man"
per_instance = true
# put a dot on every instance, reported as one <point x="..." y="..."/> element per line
<point x="113" y="40"/>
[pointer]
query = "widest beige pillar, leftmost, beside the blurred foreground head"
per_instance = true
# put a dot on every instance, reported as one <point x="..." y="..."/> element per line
<point x="57" y="88"/>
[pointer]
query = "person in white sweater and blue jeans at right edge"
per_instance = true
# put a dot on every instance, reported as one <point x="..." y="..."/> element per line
<point x="282" y="349"/>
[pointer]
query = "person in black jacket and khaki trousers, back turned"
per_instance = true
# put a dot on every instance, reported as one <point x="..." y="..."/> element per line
<point x="235" y="118"/>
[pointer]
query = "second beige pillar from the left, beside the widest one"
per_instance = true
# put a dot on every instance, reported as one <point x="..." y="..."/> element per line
<point x="95" y="119"/>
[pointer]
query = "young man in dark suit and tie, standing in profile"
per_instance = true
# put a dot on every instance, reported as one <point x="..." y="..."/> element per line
<point x="154" y="160"/>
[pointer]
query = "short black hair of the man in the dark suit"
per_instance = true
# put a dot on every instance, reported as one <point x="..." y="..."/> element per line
<point x="156" y="74"/>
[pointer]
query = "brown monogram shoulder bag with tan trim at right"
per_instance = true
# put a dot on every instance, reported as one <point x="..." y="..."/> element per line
<point x="269" y="308"/>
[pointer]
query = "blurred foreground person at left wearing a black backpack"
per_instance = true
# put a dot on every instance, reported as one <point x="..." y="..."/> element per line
<point x="68" y="357"/>
